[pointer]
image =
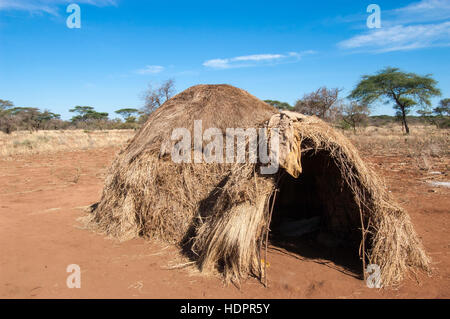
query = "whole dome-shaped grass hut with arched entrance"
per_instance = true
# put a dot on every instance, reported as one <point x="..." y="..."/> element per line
<point x="222" y="211"/>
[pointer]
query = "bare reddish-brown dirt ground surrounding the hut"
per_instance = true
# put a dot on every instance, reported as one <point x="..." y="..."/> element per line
<point x="42" y="196"/>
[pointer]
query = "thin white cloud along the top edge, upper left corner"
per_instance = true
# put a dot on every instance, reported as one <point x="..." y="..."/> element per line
<point x="48" y="6"/>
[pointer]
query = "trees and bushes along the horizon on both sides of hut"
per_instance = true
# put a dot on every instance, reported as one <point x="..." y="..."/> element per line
<point x="405" y="92"/>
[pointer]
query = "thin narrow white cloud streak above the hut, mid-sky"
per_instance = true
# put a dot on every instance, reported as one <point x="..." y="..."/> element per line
<point x="255" y="60"/>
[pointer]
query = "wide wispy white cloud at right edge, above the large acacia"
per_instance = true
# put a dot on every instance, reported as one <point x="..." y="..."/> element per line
<point x="400" y="37"/>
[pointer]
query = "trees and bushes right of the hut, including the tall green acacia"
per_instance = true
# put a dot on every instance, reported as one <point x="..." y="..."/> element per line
<point x="405" y="92"/>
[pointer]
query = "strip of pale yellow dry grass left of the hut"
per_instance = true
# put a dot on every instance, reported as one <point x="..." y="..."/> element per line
<point x="24" y="142"/>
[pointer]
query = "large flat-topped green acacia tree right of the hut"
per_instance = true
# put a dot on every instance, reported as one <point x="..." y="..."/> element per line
<point x="406" y="90"/>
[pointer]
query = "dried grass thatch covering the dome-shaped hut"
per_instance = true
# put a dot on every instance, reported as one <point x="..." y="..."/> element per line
<point x="222" y="212"/>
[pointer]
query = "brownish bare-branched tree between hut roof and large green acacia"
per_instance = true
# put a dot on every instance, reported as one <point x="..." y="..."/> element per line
<point x="322" y="103"/>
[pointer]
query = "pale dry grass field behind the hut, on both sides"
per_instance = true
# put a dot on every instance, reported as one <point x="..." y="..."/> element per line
<point x="424" y="142"/>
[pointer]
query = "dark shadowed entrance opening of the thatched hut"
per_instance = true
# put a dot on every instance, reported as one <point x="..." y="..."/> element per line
<point x="315" y="215"/>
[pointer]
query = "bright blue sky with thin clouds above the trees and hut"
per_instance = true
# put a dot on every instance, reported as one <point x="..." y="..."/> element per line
<point x="273" y="49"/>
